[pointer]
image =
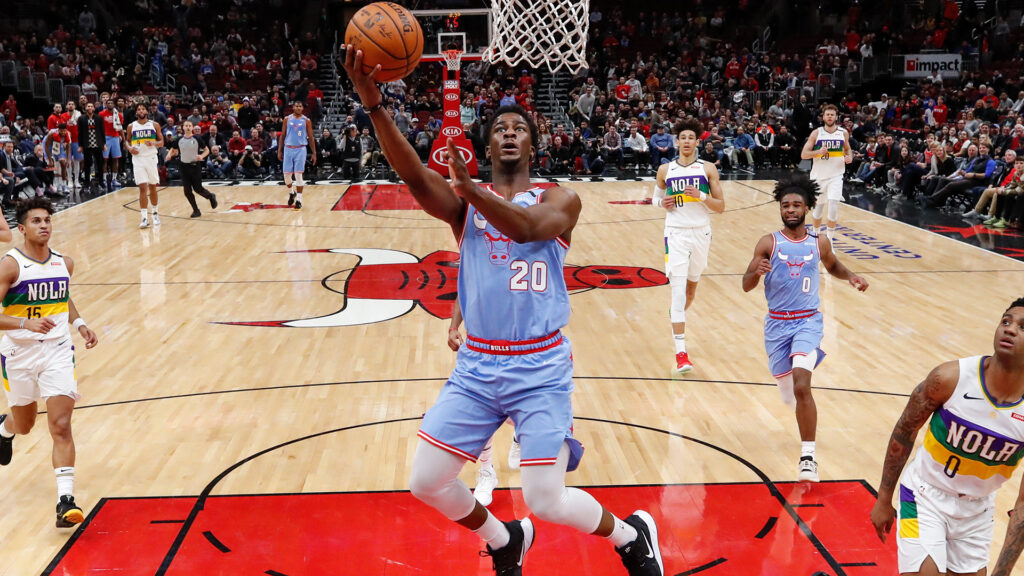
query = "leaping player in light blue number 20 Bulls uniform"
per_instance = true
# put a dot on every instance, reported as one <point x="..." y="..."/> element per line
<point x="516" y="362"/>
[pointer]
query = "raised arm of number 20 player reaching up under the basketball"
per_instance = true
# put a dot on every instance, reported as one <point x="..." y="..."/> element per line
<point x="430" y="188"/>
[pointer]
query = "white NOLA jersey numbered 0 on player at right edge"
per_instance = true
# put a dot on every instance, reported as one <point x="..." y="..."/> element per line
<point x="973" y="443"/>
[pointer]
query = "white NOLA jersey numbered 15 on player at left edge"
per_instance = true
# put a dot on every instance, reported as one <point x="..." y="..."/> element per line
<point x="42" y="291"/>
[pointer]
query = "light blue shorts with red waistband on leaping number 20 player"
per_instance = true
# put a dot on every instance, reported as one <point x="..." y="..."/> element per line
<point x="532" y="388"/>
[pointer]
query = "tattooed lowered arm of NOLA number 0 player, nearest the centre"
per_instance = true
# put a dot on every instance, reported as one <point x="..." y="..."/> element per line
<point x="925" y="400"/>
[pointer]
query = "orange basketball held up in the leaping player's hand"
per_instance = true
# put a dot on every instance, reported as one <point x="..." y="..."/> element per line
<point x="389" y="35"/>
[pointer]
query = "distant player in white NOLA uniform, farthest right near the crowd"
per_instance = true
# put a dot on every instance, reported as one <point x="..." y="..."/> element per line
<point x="829" y="150"/>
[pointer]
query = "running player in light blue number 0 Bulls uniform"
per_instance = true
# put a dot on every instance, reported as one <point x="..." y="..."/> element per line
<point x="789" y="261"/>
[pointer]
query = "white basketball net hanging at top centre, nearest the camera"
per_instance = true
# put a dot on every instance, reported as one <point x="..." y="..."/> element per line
<point x="550" y="33"/>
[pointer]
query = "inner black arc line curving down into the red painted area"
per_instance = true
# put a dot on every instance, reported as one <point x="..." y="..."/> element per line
<point x="200" y="504"/>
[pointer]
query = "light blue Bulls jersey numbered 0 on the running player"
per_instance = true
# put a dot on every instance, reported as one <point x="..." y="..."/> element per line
<point x="793" y="283"/>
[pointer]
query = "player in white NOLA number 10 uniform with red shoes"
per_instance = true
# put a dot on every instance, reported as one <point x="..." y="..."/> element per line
<point x="690" y="190"/>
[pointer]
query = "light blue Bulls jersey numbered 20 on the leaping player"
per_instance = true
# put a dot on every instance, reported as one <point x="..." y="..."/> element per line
<point x="510" y="292"/>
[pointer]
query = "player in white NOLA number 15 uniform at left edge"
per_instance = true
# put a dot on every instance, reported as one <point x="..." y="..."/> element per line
<point x="36" y="352"/>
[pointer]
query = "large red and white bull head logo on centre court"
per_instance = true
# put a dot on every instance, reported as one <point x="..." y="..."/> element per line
<point x="388" y="284"/>
